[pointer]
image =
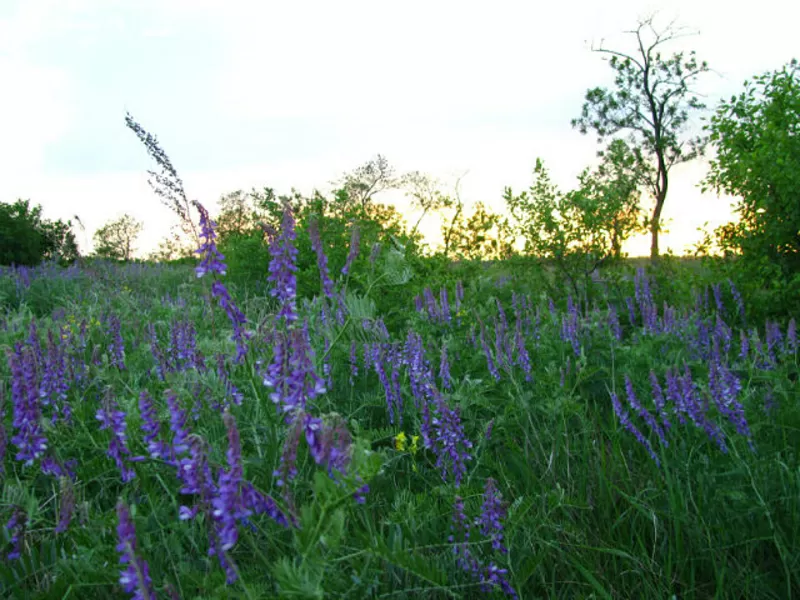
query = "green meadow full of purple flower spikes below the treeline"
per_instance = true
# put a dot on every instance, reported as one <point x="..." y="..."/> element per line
<point x="167" y="433"/>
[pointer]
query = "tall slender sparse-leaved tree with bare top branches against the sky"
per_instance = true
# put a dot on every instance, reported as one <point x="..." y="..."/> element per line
<point x="652" y="100"/>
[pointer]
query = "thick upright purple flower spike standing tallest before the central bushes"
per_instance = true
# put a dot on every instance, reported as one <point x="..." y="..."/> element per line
<point x="282" y="267"/>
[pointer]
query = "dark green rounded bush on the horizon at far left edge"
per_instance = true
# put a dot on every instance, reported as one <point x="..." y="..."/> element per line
<point x="28" y="239"/>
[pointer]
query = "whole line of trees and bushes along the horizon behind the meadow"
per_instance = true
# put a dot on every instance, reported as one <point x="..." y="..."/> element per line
<point x="643" y="123"/>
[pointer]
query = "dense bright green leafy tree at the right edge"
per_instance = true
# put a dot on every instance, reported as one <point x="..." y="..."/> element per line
<point x="756" y="136"/>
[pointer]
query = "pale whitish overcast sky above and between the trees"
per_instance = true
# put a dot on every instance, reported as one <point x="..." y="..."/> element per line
<point x="246" y="94"/>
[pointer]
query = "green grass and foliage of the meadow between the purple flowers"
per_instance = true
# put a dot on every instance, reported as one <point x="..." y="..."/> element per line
<point x="589" y="514"/>
